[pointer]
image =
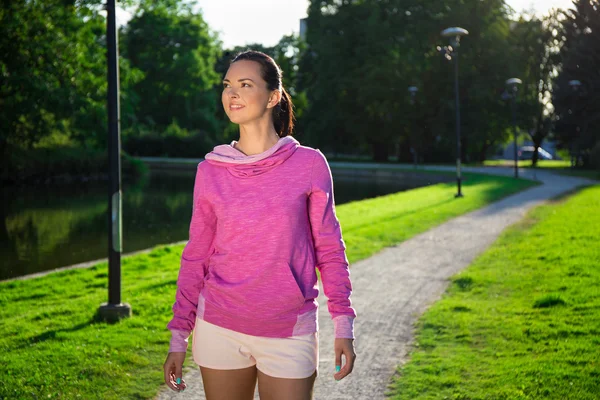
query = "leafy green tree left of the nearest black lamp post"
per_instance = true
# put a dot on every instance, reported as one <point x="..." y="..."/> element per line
<point x="52" y="70"/>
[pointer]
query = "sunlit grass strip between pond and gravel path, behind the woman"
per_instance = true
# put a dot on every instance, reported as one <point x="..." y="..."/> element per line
<point x="52" y="346"/>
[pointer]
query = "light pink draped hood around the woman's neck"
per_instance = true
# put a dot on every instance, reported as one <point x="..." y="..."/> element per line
<point x="243" y="166"/>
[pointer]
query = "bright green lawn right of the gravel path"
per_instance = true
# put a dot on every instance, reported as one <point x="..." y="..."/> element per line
<point x="523" y="321"/>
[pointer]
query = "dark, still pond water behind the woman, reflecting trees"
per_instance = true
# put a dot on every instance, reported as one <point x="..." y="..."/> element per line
<point x="49" y="227"/>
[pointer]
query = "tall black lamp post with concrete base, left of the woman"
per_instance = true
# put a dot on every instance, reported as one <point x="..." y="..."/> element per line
<point x="114" y="309"/>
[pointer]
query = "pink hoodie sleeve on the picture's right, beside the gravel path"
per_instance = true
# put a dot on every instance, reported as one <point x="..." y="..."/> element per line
<point x="330" y="249"/>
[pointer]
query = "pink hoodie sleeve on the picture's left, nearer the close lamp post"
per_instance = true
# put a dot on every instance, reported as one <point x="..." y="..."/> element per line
<point x="193" y="267"/>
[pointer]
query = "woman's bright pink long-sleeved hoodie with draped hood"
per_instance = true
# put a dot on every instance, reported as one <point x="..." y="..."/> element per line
<point x="260" y="225"/>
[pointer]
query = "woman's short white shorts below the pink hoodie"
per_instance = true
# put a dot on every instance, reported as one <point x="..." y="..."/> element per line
<point x="295" y="357"/>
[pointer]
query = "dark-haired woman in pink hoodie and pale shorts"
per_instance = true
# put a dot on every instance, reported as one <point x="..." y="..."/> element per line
<point x="263" y="218"/>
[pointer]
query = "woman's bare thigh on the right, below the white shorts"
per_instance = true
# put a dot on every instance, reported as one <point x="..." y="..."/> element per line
<point x="271" y="388"/>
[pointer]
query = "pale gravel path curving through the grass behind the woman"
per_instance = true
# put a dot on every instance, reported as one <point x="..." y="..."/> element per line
<point x="394" y="287"/>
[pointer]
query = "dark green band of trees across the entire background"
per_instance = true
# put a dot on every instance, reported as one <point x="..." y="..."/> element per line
<point x="348" y="80"/>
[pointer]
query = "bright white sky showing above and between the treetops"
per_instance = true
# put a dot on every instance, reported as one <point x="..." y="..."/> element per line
<point x="241" y="22"/>
